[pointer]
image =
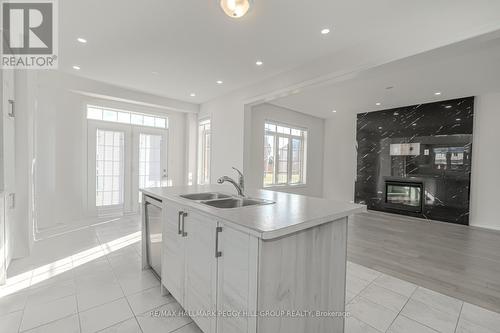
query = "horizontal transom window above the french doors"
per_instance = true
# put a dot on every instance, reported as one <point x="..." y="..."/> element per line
<point x="125" y="117"/>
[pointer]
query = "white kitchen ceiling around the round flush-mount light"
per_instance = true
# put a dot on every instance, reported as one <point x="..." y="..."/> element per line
<point x="190" y="44"/>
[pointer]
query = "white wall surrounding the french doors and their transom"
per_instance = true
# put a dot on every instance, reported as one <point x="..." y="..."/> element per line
<point x="61" y="143"/>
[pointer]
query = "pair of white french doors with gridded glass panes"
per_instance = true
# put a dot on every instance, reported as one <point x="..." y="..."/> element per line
<point x="123" y="159"/>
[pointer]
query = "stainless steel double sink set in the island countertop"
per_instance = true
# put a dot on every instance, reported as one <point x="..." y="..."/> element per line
<point x="221" y="200"/>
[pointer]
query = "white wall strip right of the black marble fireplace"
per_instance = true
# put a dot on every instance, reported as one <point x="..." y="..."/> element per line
<point x="486" y="162"/>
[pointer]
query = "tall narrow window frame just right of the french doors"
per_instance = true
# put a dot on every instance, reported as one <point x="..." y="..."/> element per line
<point x="201" y="150"/>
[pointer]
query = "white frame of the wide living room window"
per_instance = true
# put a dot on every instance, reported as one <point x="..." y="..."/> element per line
<point x="303" y="153"/>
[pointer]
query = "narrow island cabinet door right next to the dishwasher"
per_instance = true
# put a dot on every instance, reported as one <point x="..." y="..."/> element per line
<point x="173" y="263"/>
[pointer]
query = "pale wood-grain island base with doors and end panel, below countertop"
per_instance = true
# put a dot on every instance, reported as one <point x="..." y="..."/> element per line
<point x="209" y="265"/>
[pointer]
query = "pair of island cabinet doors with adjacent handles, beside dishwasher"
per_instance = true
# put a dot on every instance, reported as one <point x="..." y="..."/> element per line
<point x="189" y="268"/>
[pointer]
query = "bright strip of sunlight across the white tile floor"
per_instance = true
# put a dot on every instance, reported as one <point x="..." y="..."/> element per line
<point x="45" y="272"/>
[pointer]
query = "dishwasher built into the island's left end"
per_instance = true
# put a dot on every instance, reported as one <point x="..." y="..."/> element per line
<point x="153" y="214"/>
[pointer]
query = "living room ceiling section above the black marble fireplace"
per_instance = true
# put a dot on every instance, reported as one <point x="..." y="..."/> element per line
<point x="465" y="69"/>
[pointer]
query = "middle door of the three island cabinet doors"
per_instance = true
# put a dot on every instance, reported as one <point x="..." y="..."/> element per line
<point x="201" y="270"/>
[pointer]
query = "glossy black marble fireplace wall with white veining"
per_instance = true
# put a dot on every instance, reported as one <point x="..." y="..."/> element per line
<point x="416" y="160"/>
